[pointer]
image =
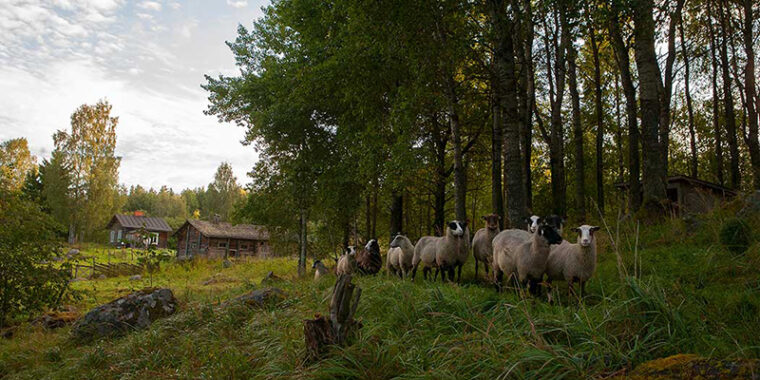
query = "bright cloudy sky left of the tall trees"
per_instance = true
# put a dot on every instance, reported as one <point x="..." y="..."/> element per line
<point x="147" y="58"/>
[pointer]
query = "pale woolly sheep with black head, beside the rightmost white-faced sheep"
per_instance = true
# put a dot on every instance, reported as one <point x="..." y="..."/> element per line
<point x="522" y="255"/>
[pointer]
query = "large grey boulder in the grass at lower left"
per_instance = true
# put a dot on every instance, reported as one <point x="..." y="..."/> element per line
<point x="134" y="311"/>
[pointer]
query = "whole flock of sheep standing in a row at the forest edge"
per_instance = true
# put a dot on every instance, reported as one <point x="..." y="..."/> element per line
<point x="527" y="257"/>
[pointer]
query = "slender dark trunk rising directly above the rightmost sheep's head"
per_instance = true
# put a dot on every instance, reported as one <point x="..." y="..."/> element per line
<point x="580" y="176"/>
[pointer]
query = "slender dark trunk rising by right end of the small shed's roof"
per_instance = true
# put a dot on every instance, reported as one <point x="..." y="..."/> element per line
<point x="728" y="101"/>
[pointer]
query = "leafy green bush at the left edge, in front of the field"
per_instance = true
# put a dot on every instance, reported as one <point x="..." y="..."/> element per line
<point x="30" y="280"/>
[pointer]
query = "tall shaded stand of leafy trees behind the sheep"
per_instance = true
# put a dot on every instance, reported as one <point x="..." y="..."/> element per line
<point x="377" y="118"/>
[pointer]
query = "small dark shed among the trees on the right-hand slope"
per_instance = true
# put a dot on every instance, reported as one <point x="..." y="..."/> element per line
<point x="690" y="195"/>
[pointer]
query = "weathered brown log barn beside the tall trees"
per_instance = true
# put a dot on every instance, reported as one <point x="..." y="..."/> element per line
<point x="220" y="239"/>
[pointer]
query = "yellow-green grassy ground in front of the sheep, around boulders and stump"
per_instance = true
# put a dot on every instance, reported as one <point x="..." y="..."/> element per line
<point x="675" y="292"/>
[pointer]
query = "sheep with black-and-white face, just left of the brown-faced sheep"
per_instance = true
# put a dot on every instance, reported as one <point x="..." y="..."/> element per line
<point x="443" y="253"/>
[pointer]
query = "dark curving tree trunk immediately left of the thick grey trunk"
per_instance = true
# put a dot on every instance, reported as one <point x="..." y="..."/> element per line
<point x="629" y="91"/>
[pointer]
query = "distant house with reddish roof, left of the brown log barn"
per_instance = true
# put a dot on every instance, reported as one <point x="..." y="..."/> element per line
<point x="125" y="229"/>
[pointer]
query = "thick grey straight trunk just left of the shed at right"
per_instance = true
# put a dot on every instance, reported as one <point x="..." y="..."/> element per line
<point x="650" y="97"/>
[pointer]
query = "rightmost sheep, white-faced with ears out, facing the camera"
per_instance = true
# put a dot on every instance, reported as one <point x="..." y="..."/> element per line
<point x="574" y="262"/>
